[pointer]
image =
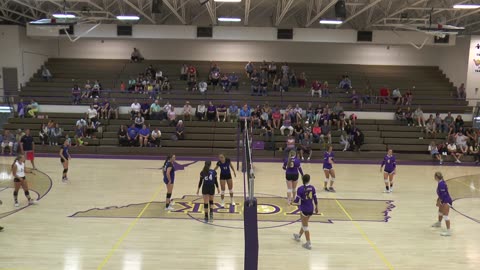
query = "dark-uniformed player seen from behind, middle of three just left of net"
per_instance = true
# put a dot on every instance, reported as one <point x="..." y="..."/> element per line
<point x="208" y="182"/>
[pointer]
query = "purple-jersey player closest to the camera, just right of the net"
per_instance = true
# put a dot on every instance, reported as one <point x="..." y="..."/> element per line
<point x="306" y="200"/>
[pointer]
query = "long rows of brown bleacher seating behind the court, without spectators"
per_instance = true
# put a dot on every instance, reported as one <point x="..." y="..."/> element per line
<point x="432" y="91"/>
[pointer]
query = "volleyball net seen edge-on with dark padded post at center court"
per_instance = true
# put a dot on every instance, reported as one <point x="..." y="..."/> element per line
<point x="250" y="205"/>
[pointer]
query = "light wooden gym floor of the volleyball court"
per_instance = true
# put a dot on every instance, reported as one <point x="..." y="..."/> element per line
<point x="103" y="219"/>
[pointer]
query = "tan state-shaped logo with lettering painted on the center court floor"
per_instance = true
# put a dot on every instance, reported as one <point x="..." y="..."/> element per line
<point x="270" y="209"/>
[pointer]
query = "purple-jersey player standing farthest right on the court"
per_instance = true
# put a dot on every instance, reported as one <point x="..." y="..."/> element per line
<point x="444" y="202"/>
